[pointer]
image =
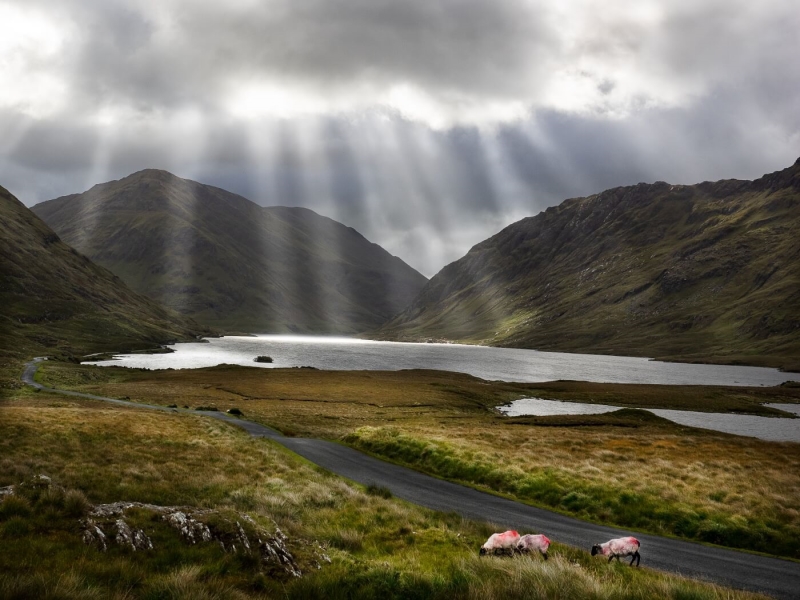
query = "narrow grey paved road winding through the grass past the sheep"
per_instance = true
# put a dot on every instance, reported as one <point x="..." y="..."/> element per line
<point x="773" y="576"/>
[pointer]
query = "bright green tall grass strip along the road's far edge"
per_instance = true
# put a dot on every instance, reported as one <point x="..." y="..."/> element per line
<point x="593" y="498"/>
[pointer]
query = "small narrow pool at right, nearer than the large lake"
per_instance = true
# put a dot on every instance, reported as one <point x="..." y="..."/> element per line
<point x="765" y="428"/>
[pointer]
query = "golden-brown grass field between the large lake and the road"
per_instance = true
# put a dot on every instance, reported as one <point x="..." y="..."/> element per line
<point x="629" y="468"/>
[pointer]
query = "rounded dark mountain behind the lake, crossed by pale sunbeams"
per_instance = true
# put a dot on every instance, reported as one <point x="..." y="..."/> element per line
<point x="230" y="263"/>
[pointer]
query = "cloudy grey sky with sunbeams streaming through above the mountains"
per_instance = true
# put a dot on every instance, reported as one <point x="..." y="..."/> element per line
<point x="426" y="125"/>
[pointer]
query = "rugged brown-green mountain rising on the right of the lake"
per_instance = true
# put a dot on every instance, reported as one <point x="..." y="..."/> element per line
<point x="690" y="272"/>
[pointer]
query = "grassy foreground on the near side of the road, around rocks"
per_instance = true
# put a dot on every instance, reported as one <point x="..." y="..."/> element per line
<point x="379" y="547"/>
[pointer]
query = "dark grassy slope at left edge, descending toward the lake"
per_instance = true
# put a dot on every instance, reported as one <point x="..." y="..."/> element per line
<point x="55" y="300"/>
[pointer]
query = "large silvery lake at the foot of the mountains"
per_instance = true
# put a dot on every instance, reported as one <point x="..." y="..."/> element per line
<point x="489" y="363"/>
